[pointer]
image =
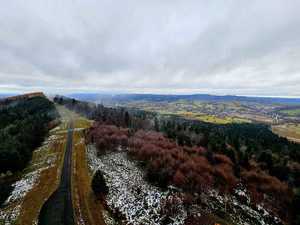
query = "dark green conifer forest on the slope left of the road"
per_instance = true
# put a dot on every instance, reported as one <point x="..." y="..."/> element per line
<point x="23" y="126"/>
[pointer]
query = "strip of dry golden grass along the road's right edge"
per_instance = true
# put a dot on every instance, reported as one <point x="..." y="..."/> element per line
<point x="86" y="206"/>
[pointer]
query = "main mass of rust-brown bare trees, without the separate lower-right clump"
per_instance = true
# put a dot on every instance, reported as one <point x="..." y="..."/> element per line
<point x="166" y="162"/>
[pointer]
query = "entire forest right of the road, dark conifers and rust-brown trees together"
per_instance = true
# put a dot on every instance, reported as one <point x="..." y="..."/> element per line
<point x="196" y="156"/>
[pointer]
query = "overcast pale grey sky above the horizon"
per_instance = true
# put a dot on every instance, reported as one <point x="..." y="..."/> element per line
<point x="235" y="47"/>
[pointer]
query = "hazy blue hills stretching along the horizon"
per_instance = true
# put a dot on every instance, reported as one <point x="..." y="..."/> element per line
<point x="121" y="98"/>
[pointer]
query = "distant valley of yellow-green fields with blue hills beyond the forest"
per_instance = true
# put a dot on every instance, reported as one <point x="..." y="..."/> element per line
<point x="207" y="108"/>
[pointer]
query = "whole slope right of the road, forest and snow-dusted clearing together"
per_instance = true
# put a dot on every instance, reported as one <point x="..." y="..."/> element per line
<point x="217" y="163"/>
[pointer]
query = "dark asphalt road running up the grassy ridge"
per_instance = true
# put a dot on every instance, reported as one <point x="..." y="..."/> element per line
<point x="58" y="209"/>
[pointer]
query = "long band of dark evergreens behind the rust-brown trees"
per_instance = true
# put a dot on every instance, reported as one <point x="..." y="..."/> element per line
<point x="241" y="142"/>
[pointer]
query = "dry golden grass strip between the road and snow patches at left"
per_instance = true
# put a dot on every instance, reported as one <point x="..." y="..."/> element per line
<point x="49" y="178"/>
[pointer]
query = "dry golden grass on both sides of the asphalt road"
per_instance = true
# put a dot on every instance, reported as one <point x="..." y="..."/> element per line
<point x="86" y="205"/>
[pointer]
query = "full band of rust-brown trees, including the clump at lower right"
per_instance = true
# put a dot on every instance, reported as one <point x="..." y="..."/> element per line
<point x="193" y="169"/>
